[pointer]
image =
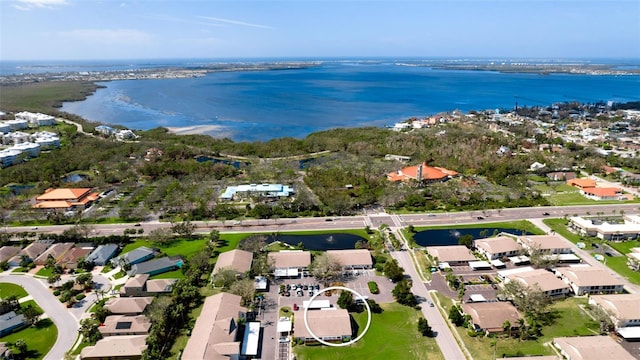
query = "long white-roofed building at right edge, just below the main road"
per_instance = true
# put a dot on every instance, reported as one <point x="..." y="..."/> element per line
<point x="629" y="229"/>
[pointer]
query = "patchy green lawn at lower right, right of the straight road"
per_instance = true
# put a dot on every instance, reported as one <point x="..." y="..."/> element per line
<point x="568" y="319"/>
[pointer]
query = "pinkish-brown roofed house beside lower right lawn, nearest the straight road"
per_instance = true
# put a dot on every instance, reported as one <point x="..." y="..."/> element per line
<point x="491" y="316"/>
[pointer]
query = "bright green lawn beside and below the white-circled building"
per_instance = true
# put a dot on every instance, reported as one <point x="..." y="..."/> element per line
<point x="392" y="335"/>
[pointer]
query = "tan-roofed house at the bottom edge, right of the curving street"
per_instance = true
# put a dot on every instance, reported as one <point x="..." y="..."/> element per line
<point x="127" y="347"/>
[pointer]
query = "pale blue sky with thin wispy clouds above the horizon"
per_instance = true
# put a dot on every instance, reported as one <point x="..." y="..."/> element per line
<point x="145" y="29"/>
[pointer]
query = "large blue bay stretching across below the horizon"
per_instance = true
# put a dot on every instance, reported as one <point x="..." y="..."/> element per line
<point x="261" y="105"/>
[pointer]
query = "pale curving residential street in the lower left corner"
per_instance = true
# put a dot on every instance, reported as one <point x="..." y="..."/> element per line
<point x="67" y="325"/>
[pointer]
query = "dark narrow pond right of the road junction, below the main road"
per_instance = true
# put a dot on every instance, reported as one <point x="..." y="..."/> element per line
<point x="442" y="237"/>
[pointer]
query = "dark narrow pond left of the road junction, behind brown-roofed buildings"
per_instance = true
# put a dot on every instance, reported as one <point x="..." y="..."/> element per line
<point x="334" y="241"/>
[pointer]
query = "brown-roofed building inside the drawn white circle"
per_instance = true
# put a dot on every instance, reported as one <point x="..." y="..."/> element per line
<point x="328" y="325"/>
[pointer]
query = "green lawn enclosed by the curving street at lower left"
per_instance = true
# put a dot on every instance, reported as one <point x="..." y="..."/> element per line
<point x="39" y="339"/>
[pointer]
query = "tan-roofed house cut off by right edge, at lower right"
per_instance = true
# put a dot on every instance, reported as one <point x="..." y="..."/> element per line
<point x="623" y="308"/>
